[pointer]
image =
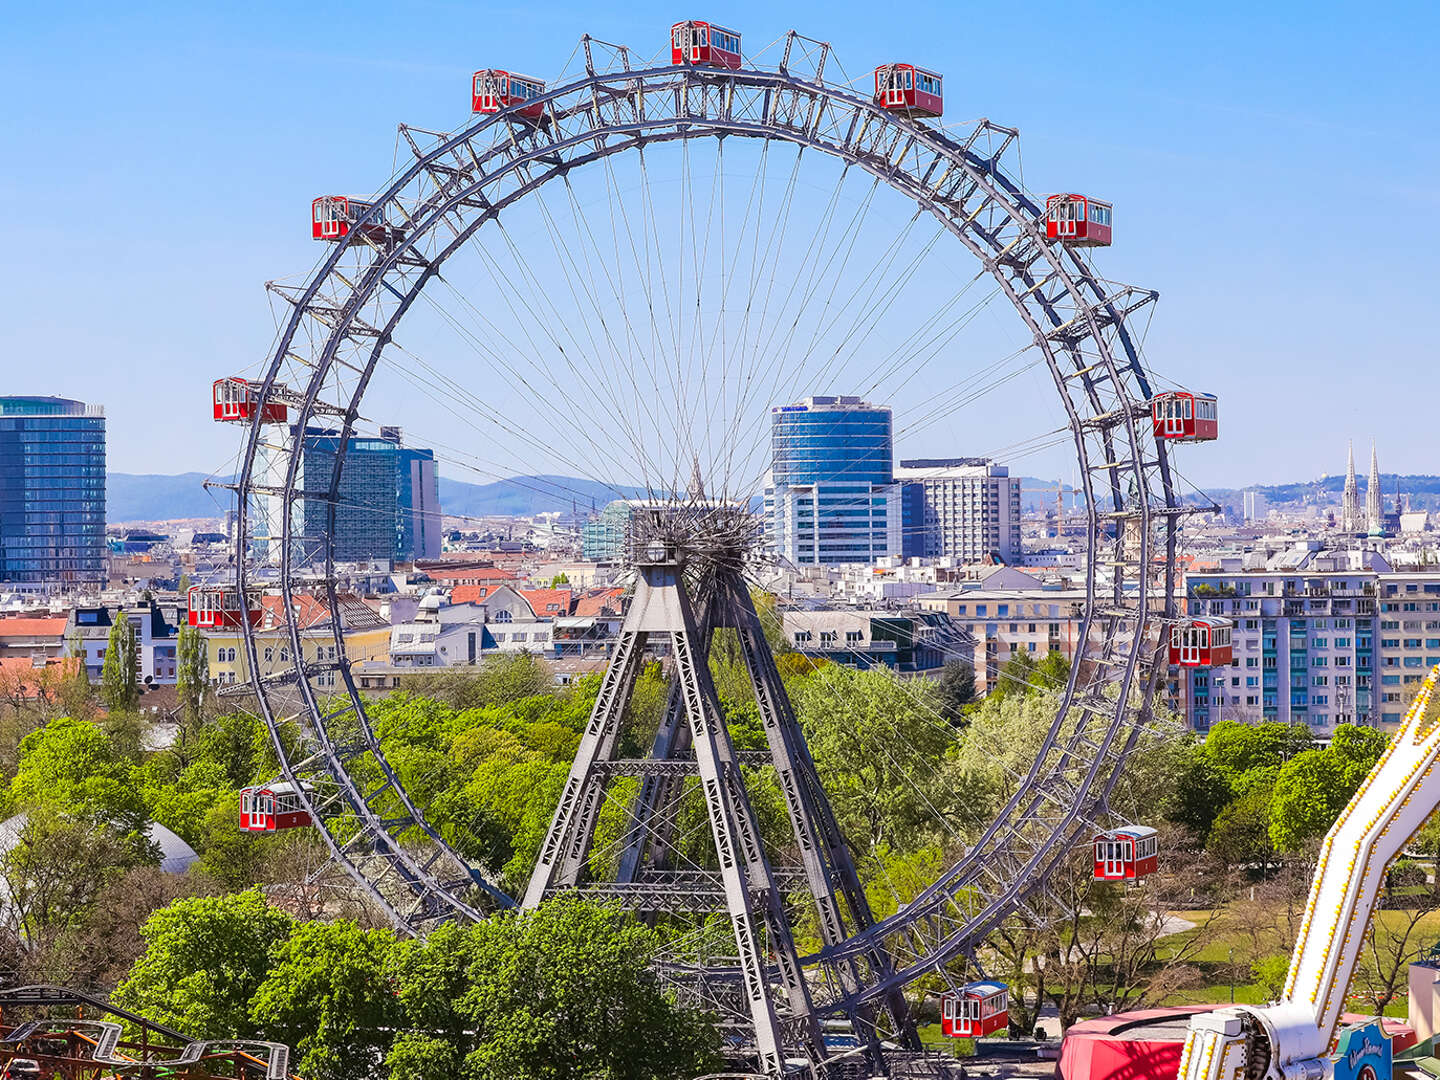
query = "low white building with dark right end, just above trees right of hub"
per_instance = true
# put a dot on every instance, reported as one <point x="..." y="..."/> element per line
<point x="902" y="642"/>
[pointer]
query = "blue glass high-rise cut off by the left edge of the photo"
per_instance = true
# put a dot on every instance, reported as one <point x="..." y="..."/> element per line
<point x="53" y="492"/>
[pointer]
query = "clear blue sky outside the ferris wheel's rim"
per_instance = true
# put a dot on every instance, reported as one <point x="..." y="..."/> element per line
<point x="1275" y="171"/>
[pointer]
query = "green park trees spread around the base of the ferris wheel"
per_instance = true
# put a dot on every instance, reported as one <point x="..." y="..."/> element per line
<point x="247" y="944"/>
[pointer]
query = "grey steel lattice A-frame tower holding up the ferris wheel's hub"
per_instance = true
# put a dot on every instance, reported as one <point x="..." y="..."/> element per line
<point x="693" y="742"/>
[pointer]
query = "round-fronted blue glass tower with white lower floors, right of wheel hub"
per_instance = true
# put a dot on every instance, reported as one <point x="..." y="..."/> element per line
<point x="830" y="496"/>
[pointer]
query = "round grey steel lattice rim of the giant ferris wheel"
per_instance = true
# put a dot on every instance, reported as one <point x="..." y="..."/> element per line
<point x="1102" y="417"/>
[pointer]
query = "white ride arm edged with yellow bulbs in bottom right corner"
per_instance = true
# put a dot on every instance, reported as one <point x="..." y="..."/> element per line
<point x="1294" y="1039"/>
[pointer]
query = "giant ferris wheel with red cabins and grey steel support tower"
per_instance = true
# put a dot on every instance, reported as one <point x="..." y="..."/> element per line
<point x="617" y="276"/>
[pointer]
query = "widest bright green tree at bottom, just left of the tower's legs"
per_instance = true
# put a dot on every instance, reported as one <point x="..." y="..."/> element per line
<point x="564" y="993"/>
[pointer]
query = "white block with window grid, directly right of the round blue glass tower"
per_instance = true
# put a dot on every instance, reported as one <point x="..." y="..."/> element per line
<point x="964" y="509"/>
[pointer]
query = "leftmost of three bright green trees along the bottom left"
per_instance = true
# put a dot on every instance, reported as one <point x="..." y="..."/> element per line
<point x="205" y="960"/>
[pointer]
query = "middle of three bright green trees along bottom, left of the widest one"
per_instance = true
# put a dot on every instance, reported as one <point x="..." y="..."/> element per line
<point x="329" y="999"/>
